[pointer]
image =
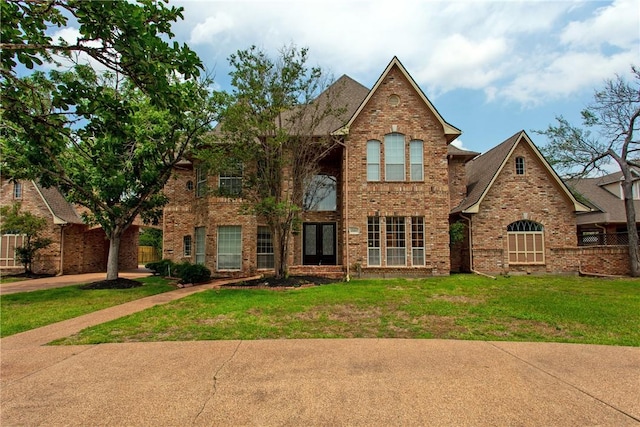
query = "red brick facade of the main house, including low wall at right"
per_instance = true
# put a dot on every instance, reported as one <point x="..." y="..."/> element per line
<point x="410" y="216"/>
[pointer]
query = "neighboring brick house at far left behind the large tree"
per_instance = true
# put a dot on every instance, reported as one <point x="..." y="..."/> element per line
<point x="75" y="248"/>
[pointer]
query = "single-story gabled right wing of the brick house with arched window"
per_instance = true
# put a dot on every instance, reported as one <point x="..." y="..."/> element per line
<point x="519" y="214"/>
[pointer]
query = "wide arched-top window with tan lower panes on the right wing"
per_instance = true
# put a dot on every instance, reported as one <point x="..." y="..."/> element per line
<point x="526" y="242"/>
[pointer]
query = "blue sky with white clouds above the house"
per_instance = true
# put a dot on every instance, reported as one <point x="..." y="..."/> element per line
<point x="491" y="68"/>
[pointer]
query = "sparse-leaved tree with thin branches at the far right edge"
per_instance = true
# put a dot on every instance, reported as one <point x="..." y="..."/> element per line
<point x="576" y="151"/>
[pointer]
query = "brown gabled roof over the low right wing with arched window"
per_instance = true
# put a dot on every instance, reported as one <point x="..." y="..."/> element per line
<point x="484" y="170"/>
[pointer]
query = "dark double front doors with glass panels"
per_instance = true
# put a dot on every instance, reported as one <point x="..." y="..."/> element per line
<point x="319" y="239"/>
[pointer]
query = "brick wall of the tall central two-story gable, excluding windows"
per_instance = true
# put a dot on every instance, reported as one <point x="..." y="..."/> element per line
<point x="428" y="198"/>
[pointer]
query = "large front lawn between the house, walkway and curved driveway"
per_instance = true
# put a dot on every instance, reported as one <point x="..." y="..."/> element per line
<point x="562" y="309"/>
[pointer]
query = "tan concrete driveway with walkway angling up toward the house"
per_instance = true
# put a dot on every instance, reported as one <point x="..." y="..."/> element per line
<point x="311" y="382"/>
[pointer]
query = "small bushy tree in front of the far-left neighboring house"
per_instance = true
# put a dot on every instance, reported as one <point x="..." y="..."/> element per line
<point x="30" y="226"/>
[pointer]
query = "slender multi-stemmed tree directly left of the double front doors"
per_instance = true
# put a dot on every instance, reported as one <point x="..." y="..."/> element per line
<point x="272" y="124"/>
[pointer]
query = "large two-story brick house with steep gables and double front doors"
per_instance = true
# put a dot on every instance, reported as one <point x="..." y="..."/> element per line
<point x="393" y="186"/>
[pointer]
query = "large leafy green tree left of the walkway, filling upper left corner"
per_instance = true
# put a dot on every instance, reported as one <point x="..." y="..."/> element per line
<point x="108" y="139"/>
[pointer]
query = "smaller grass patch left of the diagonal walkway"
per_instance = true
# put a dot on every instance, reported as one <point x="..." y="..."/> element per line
<point x="28" y="310"/>
